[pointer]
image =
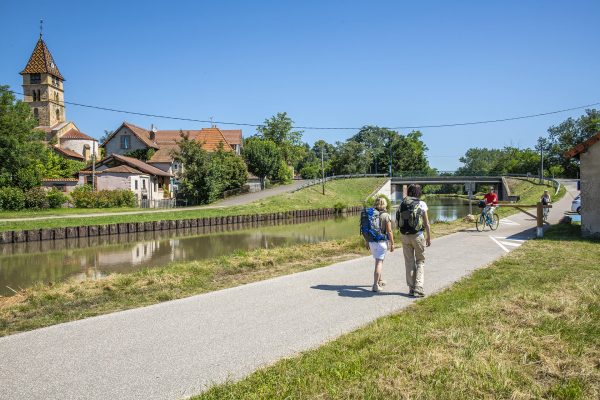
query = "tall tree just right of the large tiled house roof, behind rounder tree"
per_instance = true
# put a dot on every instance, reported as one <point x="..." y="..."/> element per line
<point x="280" y="130"/>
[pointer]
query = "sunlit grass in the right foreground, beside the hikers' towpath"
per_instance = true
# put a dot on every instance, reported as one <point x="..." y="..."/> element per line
<point x="526" y="327"/>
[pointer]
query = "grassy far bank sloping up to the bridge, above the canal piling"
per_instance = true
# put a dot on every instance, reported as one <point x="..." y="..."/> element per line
<point x="348" y="191"/>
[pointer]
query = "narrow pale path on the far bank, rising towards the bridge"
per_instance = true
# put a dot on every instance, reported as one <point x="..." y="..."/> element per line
<point x="231" y="201"/>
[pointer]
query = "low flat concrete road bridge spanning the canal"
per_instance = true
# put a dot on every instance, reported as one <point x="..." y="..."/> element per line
<point x="399" y="184"/>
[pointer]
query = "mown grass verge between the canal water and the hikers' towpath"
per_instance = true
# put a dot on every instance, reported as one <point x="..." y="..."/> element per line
<point x="45" y="305"/>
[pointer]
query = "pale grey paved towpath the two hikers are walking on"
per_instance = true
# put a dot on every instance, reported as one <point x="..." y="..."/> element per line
<point x="176" y="349"/>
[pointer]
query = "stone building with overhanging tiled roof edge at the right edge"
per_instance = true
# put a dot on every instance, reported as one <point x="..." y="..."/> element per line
<point x="588" y="154"/>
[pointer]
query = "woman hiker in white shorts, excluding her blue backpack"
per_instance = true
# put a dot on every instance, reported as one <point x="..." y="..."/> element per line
<point x="379" y="247"/>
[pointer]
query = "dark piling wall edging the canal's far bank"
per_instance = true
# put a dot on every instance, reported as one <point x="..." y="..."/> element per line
<point x="34" y="235"/>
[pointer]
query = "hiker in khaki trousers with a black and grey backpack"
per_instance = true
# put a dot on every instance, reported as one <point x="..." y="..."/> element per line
<point x="412" y="220"/>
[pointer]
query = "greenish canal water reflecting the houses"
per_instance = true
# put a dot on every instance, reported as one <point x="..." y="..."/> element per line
<point x="24" y="264"/>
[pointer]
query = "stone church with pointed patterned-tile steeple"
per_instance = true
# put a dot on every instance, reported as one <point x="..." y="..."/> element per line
<point x="43" y="87"/>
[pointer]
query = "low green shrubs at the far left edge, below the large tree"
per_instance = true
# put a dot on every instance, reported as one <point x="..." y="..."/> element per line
<point x="37" y="198"/>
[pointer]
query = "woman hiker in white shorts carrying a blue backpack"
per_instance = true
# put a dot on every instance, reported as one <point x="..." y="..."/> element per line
<point x="376" y="228"/>
